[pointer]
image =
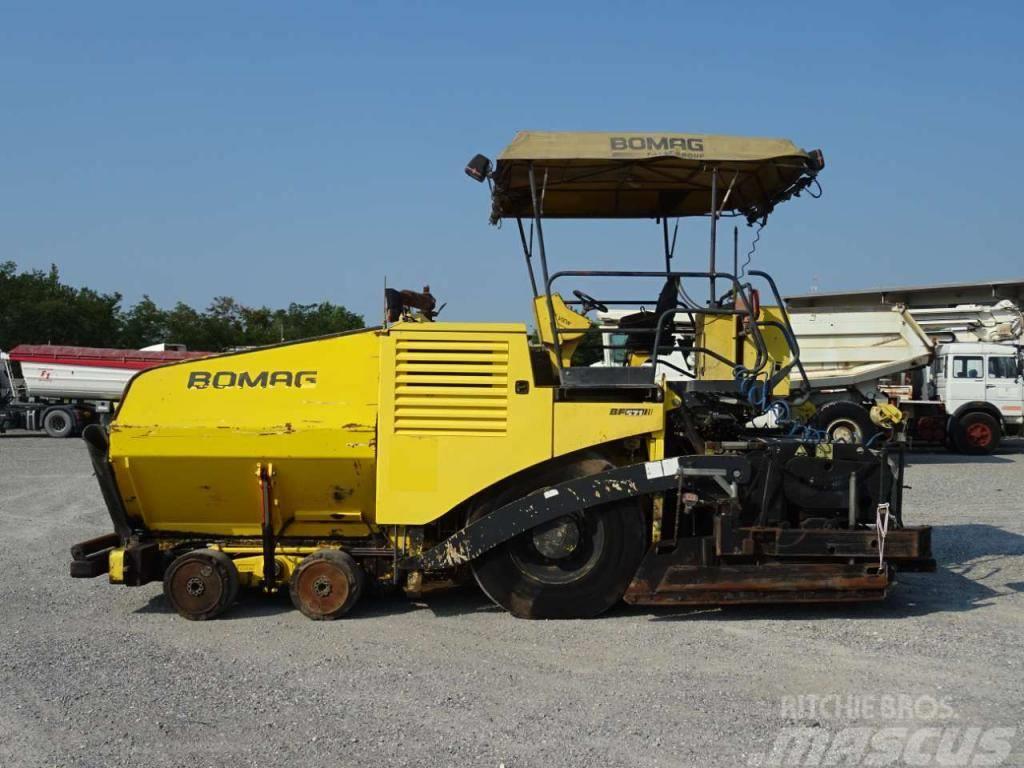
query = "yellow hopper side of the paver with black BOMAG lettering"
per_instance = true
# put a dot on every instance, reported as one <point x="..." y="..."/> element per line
<point x="189" y="437"/>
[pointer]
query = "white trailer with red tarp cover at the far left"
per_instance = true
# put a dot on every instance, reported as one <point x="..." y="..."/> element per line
<point x="61" y="390"/>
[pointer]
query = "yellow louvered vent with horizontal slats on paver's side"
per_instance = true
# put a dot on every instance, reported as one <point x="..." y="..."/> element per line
<point x="451" y="388"/>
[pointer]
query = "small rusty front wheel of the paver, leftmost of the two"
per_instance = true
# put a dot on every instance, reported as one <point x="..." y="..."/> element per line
<point x="202" y="584"/>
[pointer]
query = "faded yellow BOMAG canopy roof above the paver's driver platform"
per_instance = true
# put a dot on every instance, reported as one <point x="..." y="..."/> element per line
<point x="648" y="176"/>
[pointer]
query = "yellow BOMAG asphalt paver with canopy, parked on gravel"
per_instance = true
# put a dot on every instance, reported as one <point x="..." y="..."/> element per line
<point x="423" y="452"/>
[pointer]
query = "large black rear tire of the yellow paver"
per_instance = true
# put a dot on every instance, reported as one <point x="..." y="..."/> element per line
<point x="575" y="568"/>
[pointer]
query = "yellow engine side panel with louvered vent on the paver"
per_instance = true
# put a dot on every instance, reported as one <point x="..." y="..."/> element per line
<point x="459" y="413"/>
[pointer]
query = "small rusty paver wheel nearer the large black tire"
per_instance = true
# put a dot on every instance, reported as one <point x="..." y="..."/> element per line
<point x="327" y="585"/>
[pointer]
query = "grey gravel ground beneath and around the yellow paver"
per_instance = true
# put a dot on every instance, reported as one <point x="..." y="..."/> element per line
<point x="96" y="675"/>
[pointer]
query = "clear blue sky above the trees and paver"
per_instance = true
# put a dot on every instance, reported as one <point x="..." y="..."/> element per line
<point x="302" y="152"/>
